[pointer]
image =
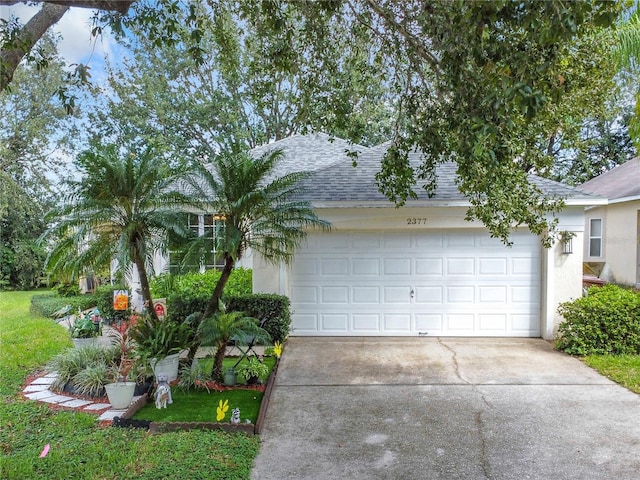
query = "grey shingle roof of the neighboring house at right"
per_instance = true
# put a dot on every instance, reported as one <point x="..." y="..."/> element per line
<point x="620" y="182"/>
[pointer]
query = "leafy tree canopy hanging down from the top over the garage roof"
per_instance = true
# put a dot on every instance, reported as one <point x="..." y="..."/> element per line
<point x="479" y="83"/>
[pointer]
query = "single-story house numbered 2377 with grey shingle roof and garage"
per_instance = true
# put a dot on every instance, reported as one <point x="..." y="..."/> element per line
<point x="421" y="269"/>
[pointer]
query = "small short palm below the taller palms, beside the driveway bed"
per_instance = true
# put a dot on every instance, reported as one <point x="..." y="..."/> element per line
<point x="218" y="330"/>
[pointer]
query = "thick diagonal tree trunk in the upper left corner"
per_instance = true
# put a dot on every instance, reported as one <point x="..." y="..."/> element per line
<point x="12" y="53"/>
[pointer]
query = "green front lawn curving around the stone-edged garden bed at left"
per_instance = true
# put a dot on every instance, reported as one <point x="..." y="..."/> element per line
<point x="79" y="448"/>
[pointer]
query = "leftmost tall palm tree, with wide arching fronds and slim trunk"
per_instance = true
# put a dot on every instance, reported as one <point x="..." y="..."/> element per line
<point x="123" y="207"/>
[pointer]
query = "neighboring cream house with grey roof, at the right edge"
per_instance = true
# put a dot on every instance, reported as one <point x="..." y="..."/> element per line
<point x="612" y="239"/>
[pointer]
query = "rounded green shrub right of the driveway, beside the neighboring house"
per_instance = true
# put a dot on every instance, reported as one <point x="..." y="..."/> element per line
<point x="605" y="321"/>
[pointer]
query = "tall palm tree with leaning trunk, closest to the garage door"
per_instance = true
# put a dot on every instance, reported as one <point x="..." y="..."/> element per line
<point x="258" y="210"/>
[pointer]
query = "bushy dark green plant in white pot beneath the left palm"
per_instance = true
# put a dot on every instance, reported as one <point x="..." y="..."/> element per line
<point x="159" y="343"/>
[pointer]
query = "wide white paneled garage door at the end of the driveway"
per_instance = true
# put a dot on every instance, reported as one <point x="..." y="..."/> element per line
<point x="449" y="283"/>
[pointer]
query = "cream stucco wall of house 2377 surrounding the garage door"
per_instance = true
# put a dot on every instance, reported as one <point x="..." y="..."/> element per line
<point x="561" y="274"/>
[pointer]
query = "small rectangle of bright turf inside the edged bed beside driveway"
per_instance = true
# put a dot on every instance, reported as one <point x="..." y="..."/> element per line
<point x="200" y="406"/>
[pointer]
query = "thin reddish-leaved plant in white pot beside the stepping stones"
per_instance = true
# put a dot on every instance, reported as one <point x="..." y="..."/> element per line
<point x="120" y="392"/>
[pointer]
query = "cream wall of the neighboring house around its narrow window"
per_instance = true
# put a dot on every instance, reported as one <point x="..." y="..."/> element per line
<point x="619" y="261"/>
